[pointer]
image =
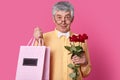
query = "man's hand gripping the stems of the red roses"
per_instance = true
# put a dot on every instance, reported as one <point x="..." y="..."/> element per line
<point x="79" y="60"/>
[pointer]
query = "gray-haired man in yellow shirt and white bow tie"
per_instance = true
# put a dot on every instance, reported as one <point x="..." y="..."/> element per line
<point x="63" y="14"/>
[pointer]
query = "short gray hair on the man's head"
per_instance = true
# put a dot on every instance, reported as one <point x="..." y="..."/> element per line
<point x="63" y="6"/>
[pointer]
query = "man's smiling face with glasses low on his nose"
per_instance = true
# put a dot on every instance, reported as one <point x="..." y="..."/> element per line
<point x="63" y="21"/>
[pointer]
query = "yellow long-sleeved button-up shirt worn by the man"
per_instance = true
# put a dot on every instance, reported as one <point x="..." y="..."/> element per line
<point x="59" y="58"/>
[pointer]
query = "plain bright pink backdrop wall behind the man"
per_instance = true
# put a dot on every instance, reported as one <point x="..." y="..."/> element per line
<point x="100" y="19"/>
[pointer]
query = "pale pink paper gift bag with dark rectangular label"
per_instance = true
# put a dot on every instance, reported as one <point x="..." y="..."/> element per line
<point x="33" y="63"/>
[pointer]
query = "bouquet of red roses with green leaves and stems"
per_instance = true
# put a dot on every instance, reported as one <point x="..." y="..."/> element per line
<point x="75" y="50"/>
